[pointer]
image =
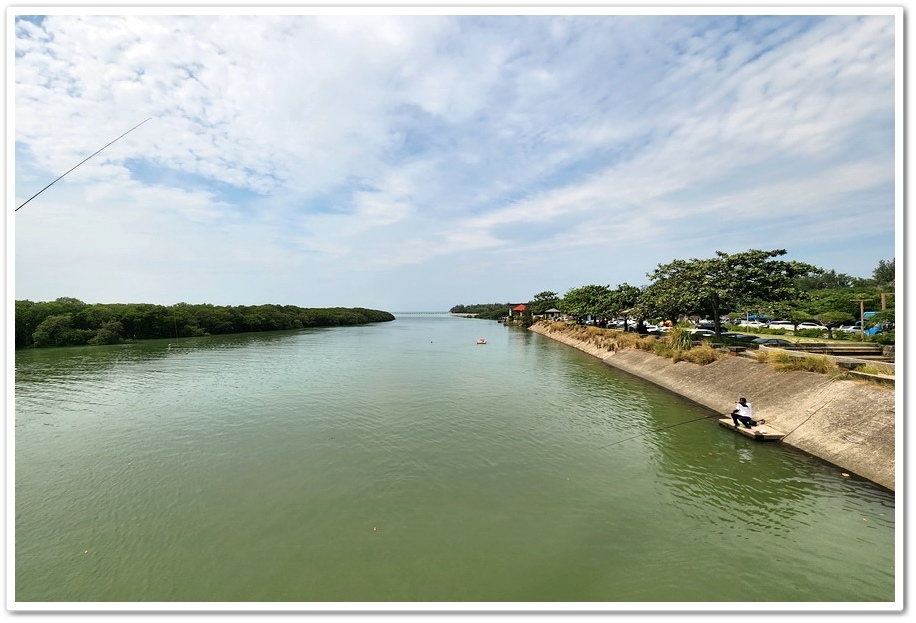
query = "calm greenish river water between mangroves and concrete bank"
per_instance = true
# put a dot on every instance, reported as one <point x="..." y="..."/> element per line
<point x="403" y="462"/>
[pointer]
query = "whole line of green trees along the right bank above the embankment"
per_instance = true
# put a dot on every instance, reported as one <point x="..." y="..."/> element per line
<point x="738" y="285"/>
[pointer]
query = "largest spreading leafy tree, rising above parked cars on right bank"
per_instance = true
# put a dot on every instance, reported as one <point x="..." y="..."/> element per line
<point x="727" y="283"/>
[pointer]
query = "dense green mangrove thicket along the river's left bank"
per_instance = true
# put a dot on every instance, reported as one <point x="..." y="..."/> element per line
<point x="71" y="322"/>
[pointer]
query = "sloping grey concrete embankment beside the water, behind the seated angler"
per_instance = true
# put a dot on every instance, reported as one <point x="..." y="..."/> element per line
<point x="847" y="423"/>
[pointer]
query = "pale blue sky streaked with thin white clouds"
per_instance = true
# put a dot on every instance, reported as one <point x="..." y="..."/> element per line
<point x="412" y="162"/>
